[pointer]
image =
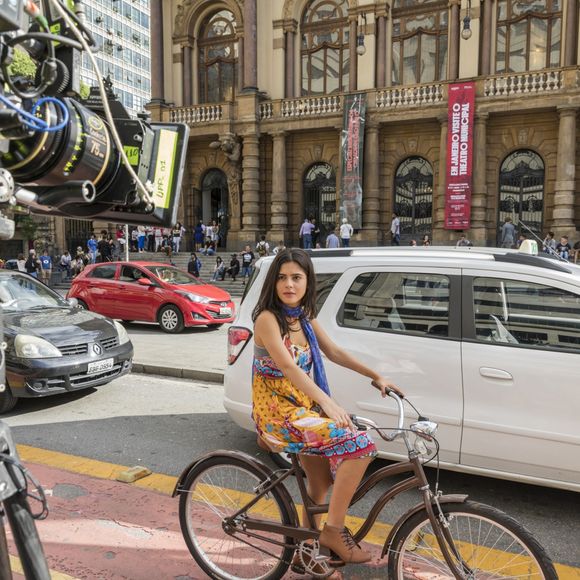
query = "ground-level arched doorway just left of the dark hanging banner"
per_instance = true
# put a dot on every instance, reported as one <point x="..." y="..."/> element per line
<point x="320" y="196"/>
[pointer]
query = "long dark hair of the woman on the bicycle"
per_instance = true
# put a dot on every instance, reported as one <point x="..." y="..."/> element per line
<point x="269" y="300"/>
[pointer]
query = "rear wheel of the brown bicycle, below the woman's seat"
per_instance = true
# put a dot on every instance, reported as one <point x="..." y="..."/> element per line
<point x="217" y="488"/>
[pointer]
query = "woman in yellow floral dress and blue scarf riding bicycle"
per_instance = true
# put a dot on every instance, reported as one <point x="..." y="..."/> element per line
<point x="292" y="407"/>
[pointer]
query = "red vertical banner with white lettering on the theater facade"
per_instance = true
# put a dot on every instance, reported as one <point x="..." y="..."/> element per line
<point x="459" y="156"/>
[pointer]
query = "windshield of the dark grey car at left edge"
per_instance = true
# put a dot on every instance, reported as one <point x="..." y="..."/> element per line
<point x="20" y="293"/>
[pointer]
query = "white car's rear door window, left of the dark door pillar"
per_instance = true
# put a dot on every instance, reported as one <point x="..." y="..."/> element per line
<point x="398" y="302"/>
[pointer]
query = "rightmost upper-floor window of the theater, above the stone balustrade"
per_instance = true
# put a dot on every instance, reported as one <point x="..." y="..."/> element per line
<point x="528" y="35"/>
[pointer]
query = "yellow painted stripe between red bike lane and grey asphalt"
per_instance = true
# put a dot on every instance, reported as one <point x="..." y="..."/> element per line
<point x="165" y="484"/>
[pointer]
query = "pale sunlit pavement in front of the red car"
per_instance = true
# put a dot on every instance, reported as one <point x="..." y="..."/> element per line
<point x="196" y="353"/>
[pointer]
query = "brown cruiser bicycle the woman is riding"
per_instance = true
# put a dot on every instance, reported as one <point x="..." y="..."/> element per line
<point x="240" y="521"/>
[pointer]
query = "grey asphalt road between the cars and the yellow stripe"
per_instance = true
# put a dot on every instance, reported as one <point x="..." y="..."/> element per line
<point x="165" y="424"/>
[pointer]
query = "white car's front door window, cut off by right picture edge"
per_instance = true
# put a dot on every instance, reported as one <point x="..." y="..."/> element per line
<point x="524" y="313"/>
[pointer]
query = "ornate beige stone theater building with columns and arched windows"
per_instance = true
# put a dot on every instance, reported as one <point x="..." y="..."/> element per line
<point x="262" y="85"/>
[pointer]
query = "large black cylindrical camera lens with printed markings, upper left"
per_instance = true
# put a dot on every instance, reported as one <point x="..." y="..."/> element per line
<point x="82" y="151"/>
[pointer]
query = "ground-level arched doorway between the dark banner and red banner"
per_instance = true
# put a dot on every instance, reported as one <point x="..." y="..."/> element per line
<point x="414" y="197"/>
